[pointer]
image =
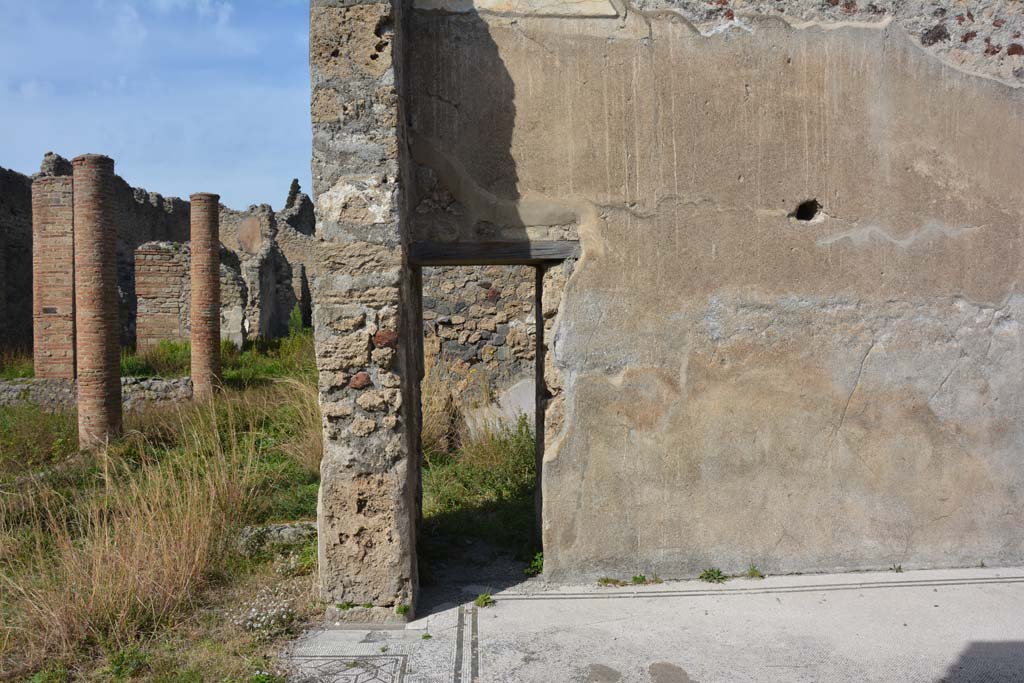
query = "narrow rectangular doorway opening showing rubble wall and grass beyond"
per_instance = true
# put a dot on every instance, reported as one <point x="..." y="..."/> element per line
<point x="481" y="443"/>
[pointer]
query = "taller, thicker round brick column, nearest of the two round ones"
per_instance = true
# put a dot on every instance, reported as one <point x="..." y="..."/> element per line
<point x="98" y="345"/>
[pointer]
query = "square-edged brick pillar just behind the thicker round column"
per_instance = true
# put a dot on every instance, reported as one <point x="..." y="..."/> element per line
<point x="54" y="277"/>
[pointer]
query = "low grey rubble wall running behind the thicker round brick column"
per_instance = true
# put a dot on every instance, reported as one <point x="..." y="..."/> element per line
<point x="137" y="393"/>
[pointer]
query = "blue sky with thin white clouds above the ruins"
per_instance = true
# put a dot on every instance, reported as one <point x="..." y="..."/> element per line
<point x="186" y="96"/>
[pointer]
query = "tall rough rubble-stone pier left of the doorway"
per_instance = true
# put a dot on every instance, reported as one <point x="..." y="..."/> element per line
<point x="365" y="316"/>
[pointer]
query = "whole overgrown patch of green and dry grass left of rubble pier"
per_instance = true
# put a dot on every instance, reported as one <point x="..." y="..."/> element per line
<point x="116" y="549"/>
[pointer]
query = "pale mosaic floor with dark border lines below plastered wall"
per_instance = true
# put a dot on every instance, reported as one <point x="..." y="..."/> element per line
<point x="958" y="626"/>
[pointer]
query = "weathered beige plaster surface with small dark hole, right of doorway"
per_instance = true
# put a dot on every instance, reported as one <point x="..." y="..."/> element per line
<point x="740" y="386"/>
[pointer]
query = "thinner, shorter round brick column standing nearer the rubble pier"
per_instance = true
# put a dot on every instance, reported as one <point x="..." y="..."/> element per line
<point x="206" y="294"/>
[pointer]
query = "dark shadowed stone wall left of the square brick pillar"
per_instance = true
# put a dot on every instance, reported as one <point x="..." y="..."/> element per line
<point x="16" y="261"/>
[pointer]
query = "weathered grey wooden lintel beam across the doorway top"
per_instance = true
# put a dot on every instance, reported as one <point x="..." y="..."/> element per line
<point x="492" y="253"/>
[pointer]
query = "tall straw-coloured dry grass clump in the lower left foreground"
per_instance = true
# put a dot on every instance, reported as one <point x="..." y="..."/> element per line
<point x="106" y="567"/>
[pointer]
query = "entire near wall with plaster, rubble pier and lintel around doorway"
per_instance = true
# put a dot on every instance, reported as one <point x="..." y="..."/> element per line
<point x="778" y="268"/>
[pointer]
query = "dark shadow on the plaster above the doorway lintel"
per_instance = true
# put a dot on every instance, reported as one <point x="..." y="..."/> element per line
<point x="463" y="119"/>
